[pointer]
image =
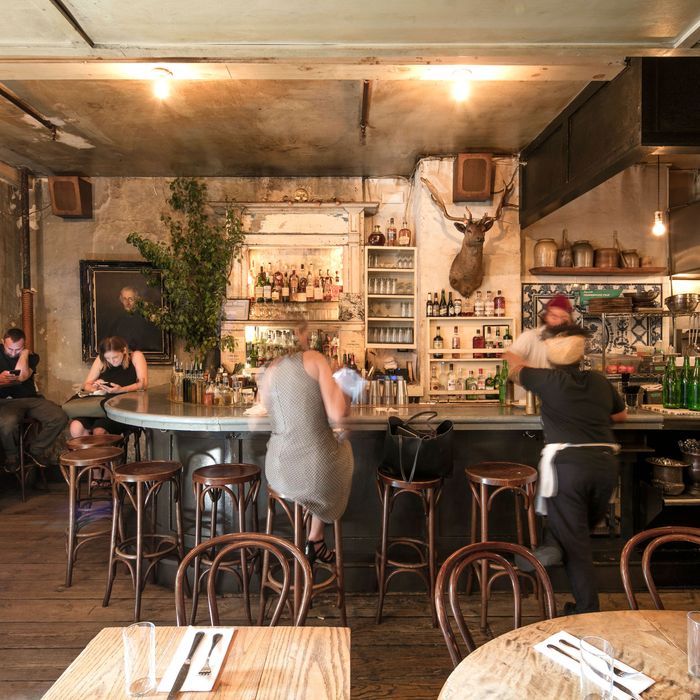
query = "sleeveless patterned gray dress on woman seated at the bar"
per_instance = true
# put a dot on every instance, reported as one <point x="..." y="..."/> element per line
<point x="304" y="462"/>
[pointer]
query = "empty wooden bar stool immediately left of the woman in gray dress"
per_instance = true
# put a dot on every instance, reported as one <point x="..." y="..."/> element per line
<point x="217" y="481"/>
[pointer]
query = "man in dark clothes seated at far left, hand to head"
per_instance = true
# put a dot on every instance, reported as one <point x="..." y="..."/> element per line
<point x="19" y="399"/>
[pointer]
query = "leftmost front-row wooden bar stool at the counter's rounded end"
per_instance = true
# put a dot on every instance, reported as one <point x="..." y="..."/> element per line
<point x="76" y="467"/>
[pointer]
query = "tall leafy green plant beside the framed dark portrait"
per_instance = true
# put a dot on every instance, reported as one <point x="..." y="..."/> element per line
<point x="195" y="266"/>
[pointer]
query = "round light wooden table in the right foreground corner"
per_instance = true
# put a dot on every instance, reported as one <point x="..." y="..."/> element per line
<point x="653" y="641"/>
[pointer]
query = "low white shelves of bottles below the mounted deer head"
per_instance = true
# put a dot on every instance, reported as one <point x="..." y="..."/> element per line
<point x="463" y="358"/>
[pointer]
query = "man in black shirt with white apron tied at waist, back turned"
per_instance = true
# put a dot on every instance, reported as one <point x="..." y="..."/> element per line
<point x="578" y="470"/>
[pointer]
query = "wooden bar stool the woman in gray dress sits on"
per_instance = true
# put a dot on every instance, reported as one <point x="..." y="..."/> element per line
<point x="298" y="517"/>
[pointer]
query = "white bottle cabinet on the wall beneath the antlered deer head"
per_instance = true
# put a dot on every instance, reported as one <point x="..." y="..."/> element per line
<point x="466" y="359"/>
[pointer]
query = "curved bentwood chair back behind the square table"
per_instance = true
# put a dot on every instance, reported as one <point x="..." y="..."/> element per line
<point x="218" y="551"/>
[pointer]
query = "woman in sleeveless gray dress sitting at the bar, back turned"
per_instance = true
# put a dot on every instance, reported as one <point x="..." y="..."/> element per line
<point x="305" y="461"/>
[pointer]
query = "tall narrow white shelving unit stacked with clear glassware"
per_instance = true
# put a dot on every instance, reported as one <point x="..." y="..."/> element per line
<point x="390" y="297"/>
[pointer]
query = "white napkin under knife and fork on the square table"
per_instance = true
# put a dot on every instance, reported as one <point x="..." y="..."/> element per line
<point x="194" y="682"/>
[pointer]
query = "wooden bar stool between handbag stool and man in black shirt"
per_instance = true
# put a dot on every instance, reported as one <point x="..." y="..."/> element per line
<point x="520" y="480"/>
